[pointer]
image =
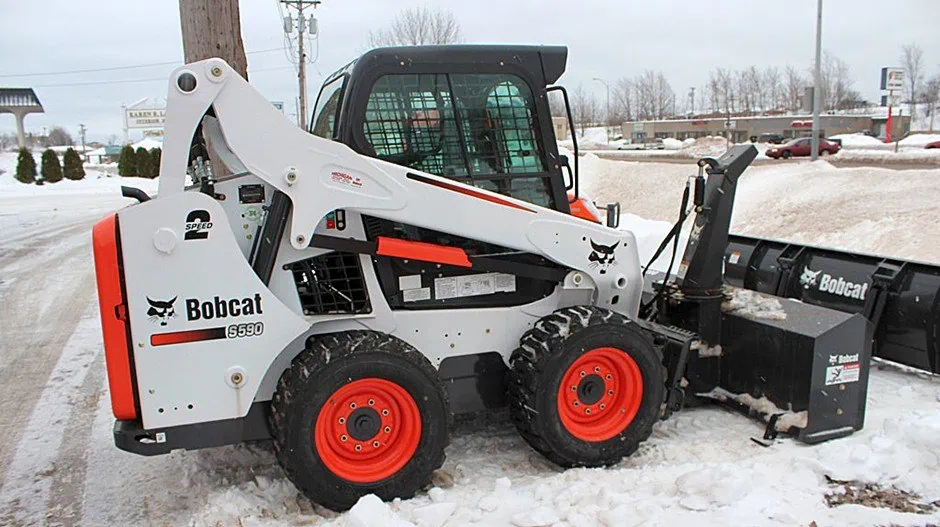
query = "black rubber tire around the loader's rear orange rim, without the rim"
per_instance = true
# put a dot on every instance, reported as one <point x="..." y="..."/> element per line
<point x="330" y="362"/>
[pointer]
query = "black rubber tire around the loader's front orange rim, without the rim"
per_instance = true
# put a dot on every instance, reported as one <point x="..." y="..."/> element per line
<point x="539" y="364"/>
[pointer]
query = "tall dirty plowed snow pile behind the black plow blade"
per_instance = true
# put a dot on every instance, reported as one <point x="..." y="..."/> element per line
<point x="874" y="210"/>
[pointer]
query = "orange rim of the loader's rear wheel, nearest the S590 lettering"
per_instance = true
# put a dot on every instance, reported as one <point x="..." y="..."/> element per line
<point x="368" y="430"/>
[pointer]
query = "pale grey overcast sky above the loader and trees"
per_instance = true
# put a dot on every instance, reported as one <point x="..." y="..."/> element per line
<point x="683" y="38"/>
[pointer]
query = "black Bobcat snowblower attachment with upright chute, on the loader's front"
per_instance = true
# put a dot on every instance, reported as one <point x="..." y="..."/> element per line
<point x="802" y="368"/>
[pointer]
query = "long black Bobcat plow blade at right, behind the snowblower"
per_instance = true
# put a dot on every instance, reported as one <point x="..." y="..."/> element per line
<point x="901" y="298"/>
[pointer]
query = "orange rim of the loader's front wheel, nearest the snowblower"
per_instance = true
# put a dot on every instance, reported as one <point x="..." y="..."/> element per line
<point x="600" y="394"/>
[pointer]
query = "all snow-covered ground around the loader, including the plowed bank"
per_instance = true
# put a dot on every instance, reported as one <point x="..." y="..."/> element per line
<point x="59" y="467"/>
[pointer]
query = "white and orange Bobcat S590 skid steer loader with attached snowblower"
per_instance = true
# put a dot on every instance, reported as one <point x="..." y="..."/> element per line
<point x="418" y="256"/>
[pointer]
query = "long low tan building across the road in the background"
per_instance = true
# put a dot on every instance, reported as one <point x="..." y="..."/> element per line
<point x="742" y="129"/>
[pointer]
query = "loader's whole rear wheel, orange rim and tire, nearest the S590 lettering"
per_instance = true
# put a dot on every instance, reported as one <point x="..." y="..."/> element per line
<point x="359" y="412"/>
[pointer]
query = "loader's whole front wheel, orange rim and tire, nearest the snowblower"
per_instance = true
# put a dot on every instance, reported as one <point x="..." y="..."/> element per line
<point x="586" y="386"/>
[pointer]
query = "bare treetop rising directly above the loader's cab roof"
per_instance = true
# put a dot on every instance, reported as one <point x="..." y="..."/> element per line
<point x="418" y="26"/>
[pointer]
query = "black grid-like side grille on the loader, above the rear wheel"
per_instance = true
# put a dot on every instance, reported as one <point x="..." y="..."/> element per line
<point x="331" y="284"/>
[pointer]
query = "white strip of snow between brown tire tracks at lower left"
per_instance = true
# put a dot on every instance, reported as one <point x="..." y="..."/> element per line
<point x="30" y="473"/>
